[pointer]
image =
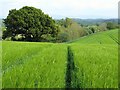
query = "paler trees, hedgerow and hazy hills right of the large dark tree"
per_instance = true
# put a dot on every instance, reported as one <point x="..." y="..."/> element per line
<point x="71" y="29"/>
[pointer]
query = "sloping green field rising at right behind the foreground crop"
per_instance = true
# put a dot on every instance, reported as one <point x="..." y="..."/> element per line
<point x="106" y="37"/>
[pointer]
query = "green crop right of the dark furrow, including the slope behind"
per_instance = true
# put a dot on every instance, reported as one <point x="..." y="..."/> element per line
<point x="96" y="60"/>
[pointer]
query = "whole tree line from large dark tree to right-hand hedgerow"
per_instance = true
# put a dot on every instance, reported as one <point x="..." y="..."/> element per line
<point x="31" y="24"/>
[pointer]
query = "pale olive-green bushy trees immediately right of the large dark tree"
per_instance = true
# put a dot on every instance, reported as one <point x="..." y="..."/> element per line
<point x="69" y="30"/>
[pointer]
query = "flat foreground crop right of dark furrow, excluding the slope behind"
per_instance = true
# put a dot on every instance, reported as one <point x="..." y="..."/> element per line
<point x="96" y="66"/>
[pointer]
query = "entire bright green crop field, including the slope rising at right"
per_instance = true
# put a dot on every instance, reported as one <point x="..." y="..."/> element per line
<point x="88" y="62"/>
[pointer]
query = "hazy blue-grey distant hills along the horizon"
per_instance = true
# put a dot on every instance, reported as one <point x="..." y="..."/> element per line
<point x="93" y="21"/>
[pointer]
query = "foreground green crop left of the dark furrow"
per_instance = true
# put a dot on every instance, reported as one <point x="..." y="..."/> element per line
<point x="40" y="65"/>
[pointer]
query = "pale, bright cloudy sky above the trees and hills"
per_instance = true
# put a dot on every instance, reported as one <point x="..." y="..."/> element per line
<point x="66" y="8"/>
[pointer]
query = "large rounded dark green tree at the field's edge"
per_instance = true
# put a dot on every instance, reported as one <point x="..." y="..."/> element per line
<point x="31" y="24"/>
